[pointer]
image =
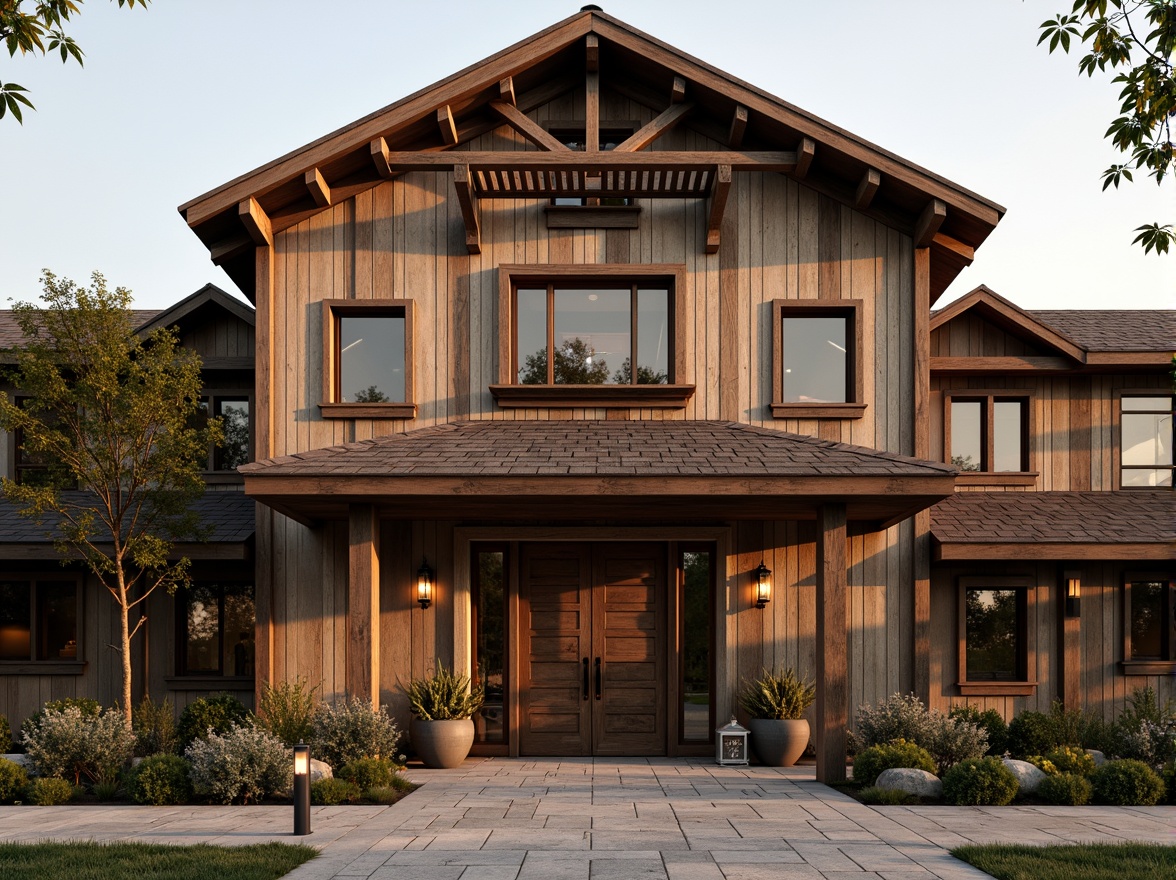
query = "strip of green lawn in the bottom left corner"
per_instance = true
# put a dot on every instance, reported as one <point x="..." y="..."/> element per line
<point x="105" y="862"/>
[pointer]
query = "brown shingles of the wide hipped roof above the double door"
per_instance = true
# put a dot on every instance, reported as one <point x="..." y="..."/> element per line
<point x="636" y="449"/>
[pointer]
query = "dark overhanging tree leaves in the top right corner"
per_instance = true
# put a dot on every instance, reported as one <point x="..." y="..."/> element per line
<point x="1137" y="41"/>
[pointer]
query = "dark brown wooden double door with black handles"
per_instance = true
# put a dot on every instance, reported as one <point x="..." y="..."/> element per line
<point x="593" y="650"/>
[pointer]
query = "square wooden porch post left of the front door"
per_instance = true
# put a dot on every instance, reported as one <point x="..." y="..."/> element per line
<point x="364" y="604"/>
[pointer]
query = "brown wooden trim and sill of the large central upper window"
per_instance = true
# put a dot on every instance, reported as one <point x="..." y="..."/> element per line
<point x="510" y="395"/>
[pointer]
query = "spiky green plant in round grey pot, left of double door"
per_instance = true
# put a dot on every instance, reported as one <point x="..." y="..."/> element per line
<point x="443" y="726"/>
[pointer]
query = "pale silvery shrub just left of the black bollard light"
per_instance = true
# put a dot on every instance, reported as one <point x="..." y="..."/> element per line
<point x="244" y="765"/>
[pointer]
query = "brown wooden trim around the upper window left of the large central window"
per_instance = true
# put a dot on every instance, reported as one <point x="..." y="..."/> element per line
<point x="335" y="310"/>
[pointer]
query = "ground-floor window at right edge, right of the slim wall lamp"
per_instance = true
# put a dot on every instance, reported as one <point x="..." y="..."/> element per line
<point x="1150" y="637"/>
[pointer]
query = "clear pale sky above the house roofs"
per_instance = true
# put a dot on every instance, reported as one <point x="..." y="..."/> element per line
<point x="188" y="95"/>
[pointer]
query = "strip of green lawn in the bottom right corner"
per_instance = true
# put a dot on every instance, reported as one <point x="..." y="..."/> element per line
<point x="1080" y="862"/>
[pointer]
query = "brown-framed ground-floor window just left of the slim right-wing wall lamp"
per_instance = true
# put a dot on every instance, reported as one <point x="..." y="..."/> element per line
<point x="997" y="644"/>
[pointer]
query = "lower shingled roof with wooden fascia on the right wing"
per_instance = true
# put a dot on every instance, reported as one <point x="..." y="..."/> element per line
<point x="1057" y="525"/>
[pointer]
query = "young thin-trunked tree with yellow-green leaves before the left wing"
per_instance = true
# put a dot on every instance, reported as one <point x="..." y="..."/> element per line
<point x="116" y="422"/>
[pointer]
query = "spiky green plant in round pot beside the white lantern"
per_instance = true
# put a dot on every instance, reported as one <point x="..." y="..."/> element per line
<point x="777" y="703"/>
